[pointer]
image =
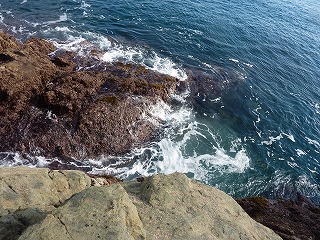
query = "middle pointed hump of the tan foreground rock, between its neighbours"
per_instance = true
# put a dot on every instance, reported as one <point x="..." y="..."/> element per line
<point x="95" y="213"/>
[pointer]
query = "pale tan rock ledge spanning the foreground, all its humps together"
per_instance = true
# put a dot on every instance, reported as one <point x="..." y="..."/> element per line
<point x="50" y="204"/>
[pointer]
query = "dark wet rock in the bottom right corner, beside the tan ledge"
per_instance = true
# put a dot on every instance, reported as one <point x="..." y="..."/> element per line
<point x="299" y="219"/>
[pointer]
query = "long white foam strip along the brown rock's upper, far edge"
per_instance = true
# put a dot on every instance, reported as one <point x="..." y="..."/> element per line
<point x="81" y="42"/>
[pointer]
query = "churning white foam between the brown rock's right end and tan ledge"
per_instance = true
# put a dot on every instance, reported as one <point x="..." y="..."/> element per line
<point x="169" y="154"/>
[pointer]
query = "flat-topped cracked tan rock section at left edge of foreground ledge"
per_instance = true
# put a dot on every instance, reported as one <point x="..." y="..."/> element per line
<point x="39" y="187"/>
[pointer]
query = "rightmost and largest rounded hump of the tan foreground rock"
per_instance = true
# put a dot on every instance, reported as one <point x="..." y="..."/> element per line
<point x="175" y="207"/>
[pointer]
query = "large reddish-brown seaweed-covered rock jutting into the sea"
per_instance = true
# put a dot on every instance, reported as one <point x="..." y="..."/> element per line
<point x="49" y="108"/>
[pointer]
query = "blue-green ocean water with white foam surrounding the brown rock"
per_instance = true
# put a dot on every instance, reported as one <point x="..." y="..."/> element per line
<point x="250" y="122"/>
